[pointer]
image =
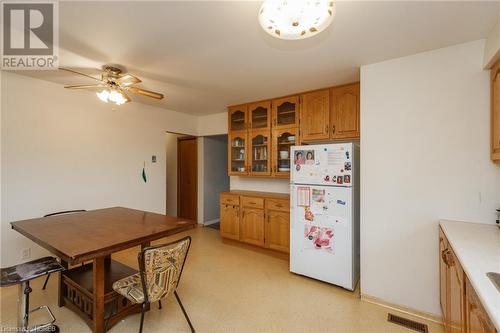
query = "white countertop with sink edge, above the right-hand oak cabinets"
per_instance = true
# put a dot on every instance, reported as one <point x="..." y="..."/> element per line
<point x="477" y="247"/>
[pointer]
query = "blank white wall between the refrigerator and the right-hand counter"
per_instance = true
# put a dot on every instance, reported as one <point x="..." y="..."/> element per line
<point x="424" y="156"/>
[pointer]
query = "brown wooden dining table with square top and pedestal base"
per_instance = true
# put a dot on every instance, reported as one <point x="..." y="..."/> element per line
<point x="84" y="242"/>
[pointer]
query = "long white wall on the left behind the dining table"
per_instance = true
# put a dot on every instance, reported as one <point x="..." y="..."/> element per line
<point x="64" y="149"/>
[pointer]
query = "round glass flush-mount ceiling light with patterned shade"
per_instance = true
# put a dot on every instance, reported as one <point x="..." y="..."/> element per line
<point x="296" y="19"/>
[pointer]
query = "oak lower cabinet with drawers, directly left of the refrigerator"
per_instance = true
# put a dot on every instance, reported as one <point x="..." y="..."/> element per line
<point x="257" y="218"/>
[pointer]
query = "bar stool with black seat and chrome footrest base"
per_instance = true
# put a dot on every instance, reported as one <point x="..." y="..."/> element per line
<point x="21" y="275"/>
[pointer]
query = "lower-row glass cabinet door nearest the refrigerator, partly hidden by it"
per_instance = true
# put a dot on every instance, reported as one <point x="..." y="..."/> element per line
<point x="283" y="140"/>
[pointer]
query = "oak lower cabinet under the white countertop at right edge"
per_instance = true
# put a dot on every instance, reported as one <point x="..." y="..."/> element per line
<point x="461" y="308"/>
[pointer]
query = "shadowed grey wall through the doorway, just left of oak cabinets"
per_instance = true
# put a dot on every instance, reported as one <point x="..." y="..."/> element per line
<point x="215" y="178"/>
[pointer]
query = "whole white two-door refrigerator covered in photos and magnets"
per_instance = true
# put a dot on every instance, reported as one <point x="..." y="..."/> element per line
<point x="324" y="215"/>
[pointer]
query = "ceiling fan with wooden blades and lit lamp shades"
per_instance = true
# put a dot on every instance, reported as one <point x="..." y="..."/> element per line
<point x="114" y="85"/>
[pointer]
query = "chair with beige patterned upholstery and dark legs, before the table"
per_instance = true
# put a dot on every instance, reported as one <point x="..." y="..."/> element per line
<point x="160" y="270"/>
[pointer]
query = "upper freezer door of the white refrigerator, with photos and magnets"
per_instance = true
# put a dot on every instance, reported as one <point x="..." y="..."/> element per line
<point x="329" y="164"/>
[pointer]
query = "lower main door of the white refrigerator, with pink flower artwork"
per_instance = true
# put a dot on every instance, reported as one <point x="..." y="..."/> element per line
<point x="321" y="233"/>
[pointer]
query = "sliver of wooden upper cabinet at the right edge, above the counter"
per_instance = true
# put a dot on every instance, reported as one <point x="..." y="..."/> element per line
<point x="495" y="112"/>
